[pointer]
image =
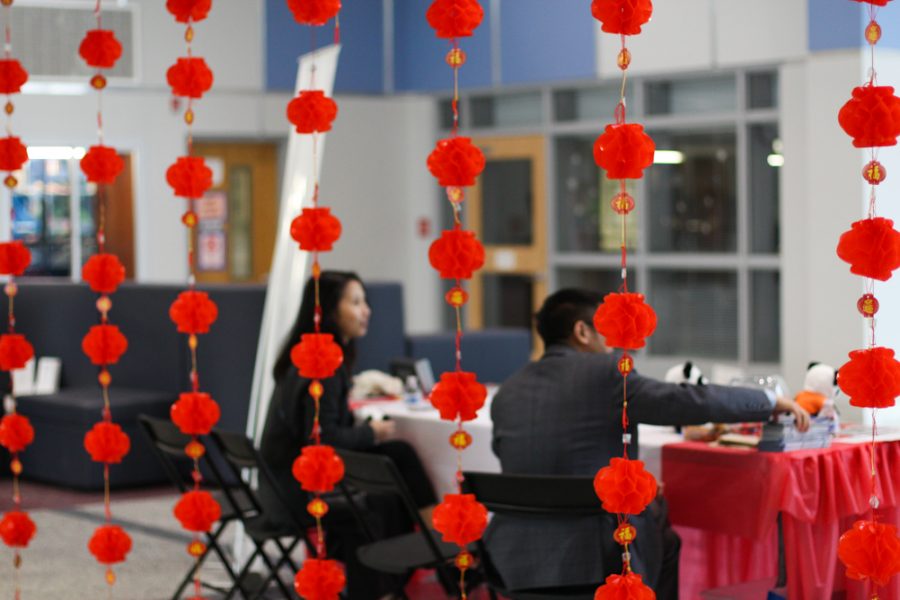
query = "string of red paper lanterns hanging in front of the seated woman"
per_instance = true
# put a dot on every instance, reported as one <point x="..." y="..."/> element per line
<point x="316" y="356"/>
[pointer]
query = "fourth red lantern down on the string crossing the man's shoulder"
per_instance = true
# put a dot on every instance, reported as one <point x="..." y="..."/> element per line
<point x="625" y="486"/>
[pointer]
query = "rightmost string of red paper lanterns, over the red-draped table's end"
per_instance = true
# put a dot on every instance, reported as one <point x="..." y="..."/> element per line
<point x="871" y="378"/>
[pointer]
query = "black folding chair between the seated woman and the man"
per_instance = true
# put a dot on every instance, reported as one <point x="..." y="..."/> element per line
<point x="399" y="555"/>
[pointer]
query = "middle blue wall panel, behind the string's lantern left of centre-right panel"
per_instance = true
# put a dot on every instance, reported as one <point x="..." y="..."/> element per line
<point x="419" y="54"/>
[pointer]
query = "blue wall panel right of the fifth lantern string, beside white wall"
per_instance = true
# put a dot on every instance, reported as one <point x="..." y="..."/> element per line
<point x="543" y="41"/>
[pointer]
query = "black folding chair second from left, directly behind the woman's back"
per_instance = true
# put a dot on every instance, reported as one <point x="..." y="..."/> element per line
<point x="240" y="454"/>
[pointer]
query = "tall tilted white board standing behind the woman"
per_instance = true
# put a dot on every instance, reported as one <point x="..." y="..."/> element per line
<point x="289" y="264"/>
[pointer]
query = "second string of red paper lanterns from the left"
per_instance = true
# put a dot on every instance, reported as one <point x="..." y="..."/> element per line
<point x="104" y="344"/>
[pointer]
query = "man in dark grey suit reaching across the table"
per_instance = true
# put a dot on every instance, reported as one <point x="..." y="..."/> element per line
<point x="562" y="415"/>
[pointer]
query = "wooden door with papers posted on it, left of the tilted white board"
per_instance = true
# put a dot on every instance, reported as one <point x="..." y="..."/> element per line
<point x="236" y="223"/>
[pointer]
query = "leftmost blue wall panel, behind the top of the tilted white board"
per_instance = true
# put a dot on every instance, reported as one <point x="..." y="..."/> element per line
<point x="360" y="69"/>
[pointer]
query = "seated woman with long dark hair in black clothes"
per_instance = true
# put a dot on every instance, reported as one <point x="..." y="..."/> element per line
<point x="344" y="314"/>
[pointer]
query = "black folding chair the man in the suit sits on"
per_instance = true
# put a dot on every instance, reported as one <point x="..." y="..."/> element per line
<point x="533" y="496"/>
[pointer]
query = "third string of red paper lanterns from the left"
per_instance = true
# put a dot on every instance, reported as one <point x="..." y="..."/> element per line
<point x="193" y="312"/>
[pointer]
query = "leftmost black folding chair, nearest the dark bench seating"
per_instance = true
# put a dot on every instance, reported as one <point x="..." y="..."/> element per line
<point x="168" y="444"/>
